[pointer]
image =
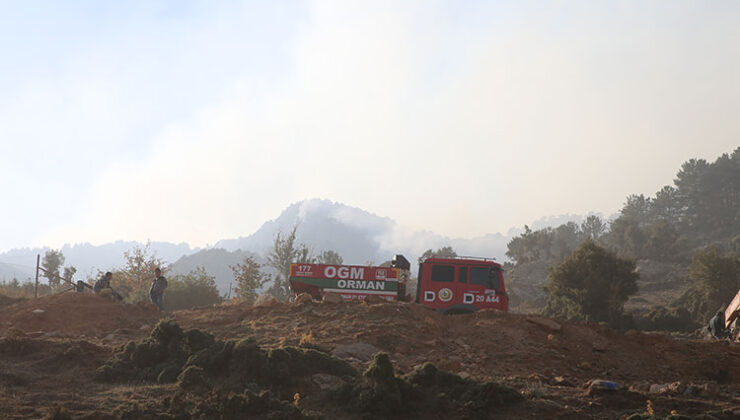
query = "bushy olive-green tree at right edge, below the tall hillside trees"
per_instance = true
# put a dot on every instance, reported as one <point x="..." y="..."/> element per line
<point x="715" y="278"/>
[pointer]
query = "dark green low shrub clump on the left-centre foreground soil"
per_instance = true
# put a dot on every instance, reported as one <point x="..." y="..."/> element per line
<point x="169" y="353"/>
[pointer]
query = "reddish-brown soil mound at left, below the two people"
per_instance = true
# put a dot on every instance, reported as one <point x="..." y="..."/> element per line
<point x="76" y="314"/>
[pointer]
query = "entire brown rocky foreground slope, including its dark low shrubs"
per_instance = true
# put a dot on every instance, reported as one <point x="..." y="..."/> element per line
<point x="85" y="356"/>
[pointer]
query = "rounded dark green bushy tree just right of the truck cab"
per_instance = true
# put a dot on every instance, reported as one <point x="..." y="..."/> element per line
<point x="591" y="284"/>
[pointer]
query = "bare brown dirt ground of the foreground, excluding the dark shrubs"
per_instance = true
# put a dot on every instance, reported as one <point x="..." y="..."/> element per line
<point x="52" y="346"/>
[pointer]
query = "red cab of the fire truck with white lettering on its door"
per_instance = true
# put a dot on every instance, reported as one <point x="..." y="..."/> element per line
<point x="461" y="284"/>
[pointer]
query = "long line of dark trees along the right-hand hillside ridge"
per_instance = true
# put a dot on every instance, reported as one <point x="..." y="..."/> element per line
<point x="703" y="206"/>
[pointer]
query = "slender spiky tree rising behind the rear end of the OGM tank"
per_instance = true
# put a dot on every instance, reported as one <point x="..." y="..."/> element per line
<point x="285" y="251"/>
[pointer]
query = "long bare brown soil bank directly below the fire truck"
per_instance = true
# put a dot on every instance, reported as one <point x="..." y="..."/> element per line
<point x="486" y="344"/>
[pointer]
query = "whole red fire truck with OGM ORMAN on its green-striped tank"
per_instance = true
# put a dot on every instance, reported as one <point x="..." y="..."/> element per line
<point x="460" y="284"/>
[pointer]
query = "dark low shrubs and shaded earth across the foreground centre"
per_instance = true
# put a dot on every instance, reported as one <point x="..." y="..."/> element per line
<point x="246" y="380"/>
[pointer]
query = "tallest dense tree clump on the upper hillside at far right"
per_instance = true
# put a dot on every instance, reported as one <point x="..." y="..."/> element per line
<point x="702" y="207"/>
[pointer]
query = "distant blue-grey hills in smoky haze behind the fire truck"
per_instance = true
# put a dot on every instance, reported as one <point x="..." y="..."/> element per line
<point x="358" y="236"/>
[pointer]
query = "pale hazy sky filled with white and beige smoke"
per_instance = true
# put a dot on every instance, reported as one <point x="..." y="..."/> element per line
<point x="198" y="121"/>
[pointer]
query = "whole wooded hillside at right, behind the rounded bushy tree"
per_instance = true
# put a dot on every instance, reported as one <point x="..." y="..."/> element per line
<point x="693" y="224"/>
